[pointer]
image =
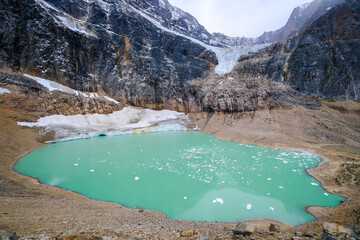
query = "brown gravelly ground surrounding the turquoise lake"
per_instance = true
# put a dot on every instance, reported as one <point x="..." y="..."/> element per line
<point x="34" y="210"/>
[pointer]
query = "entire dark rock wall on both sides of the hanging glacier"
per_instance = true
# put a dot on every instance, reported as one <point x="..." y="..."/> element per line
<point x="117" y="47"/>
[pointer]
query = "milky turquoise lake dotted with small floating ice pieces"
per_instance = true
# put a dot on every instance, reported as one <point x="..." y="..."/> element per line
<point x="186" y="175"/>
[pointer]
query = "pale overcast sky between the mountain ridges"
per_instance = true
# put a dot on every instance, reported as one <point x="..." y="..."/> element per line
<point x="240" y="18"/>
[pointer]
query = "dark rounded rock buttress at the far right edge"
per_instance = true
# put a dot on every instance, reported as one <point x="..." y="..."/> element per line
<point x="325" y="62"/>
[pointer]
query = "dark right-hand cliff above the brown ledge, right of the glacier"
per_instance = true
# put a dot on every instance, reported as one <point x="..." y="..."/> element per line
<point x="322" y="61"/>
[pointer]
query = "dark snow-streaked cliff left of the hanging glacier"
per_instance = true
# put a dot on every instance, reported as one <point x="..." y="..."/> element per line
<point x="101" y="45"/>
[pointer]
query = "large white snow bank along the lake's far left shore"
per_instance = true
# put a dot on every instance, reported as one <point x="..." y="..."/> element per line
<point x="128" y="120"/>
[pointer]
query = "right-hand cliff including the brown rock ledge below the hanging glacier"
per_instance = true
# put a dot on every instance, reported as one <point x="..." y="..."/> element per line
<point x="322" y="61"/>
